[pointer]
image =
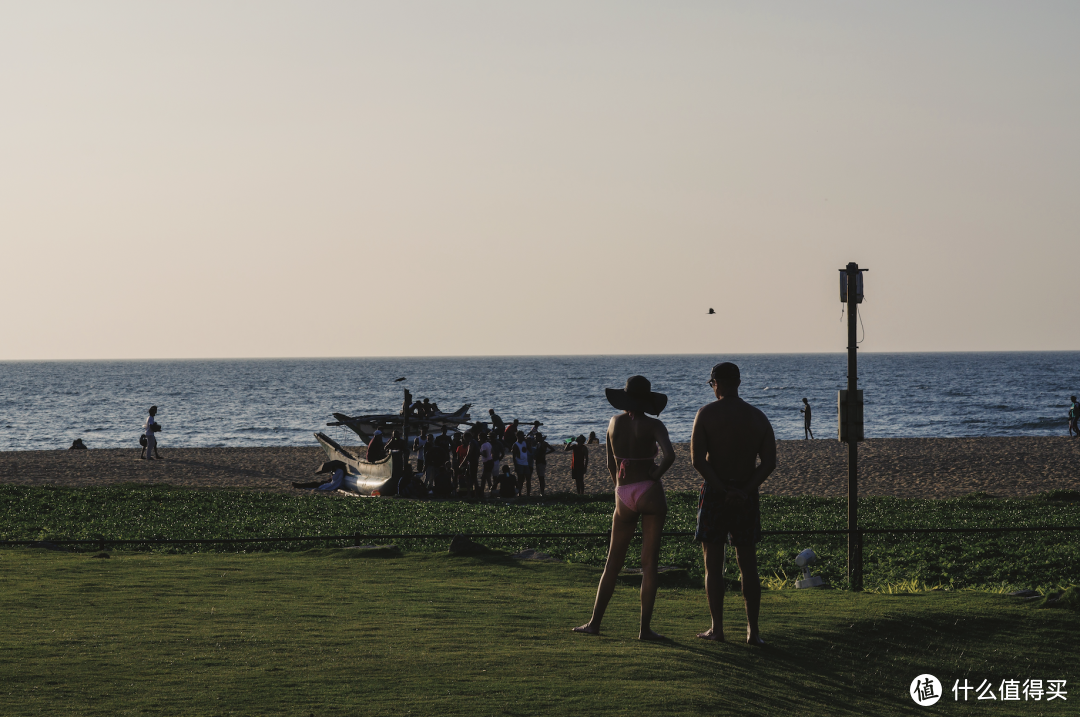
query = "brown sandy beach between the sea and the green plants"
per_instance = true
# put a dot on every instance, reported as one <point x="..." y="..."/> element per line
<point x="904" y="468"/>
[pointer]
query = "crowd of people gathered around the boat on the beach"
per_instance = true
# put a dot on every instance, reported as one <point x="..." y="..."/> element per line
<point x="496" y="462"/>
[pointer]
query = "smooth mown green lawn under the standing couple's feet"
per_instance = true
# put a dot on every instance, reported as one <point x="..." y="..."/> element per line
<point x="337" y="632"/>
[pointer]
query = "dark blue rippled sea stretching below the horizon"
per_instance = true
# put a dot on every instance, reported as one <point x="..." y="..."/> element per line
<point x="282" y="402"/>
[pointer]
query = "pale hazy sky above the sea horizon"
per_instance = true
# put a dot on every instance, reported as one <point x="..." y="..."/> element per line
<point x="204" y="180"/>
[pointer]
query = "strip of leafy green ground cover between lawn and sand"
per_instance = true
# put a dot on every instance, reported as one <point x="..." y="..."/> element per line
<point x="1044" y="562"/>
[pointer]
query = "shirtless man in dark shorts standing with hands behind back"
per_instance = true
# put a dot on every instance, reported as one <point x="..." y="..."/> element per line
<point x="730" y="436"/>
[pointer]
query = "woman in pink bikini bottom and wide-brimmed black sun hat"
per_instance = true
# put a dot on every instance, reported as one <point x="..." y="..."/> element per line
<point x="632" y="447"/>
